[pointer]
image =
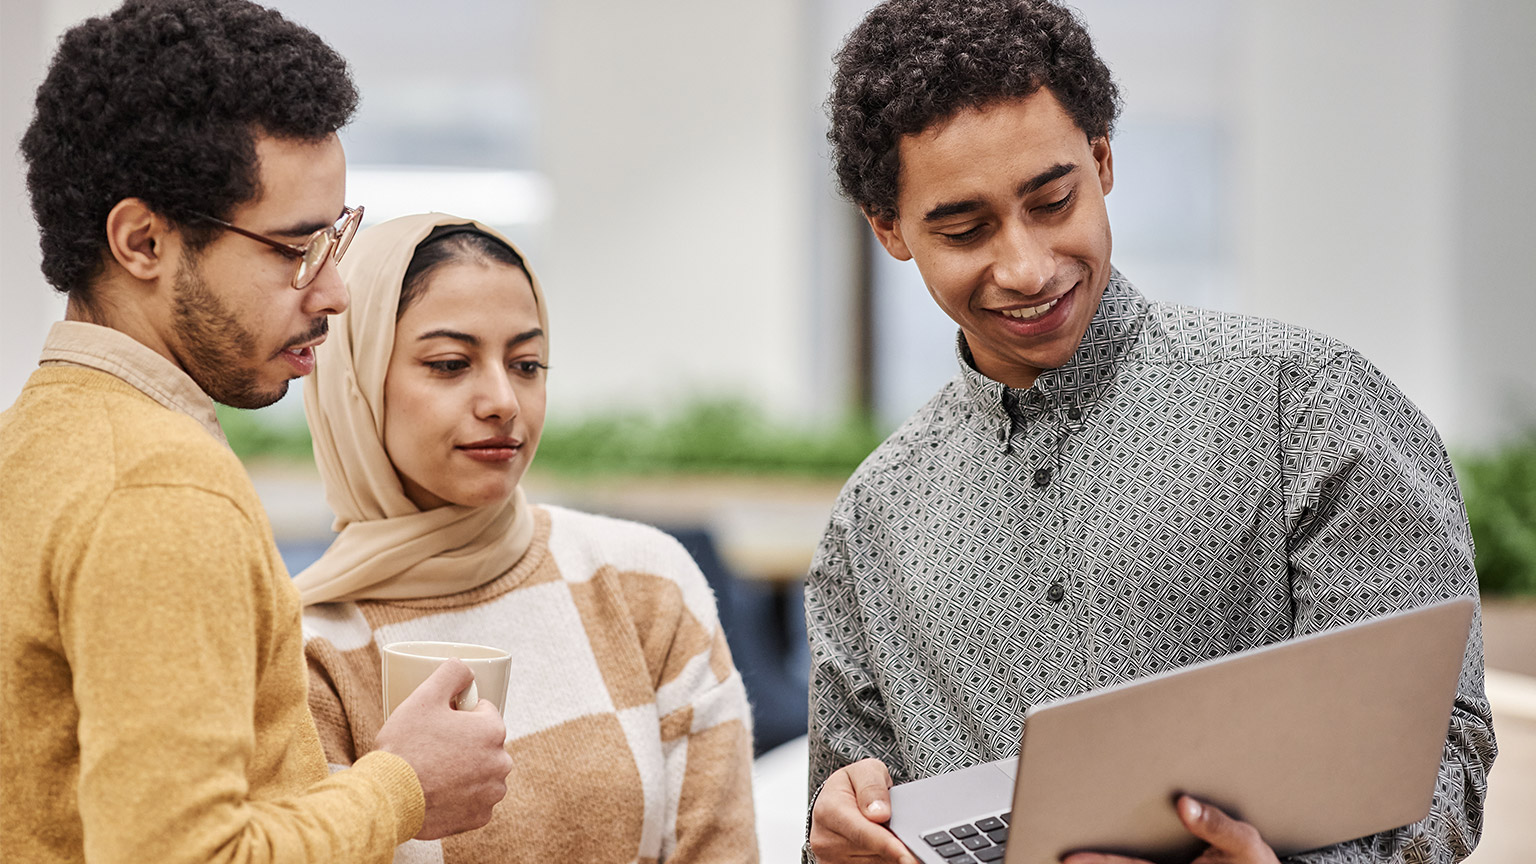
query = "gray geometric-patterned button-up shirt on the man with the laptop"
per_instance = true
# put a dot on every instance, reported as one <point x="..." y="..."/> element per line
<point x="1190" y="485"/>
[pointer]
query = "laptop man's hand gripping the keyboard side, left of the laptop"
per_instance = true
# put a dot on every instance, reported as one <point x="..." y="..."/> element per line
<point x="850" y="814"/>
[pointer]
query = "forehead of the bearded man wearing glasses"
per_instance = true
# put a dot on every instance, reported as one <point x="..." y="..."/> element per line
<point x="302" y="182"/>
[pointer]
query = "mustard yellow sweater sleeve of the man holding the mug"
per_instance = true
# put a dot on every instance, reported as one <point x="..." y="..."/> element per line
<point x="170" y="623"/>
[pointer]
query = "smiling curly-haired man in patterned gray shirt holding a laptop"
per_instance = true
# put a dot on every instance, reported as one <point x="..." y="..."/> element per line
<point x="1113" y="488"/>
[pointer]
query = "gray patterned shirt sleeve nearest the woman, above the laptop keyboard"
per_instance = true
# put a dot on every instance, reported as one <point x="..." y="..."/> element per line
<point x="849" y="717"/>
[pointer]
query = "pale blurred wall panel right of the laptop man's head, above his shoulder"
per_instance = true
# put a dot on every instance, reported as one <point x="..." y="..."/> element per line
<point x="1345" y="164"/>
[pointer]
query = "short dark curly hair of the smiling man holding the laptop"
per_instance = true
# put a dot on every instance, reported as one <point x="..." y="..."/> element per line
<point x="912" y="64"/>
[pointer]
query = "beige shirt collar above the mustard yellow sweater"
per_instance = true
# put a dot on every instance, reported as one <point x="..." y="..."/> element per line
<point x="93" y="347"/>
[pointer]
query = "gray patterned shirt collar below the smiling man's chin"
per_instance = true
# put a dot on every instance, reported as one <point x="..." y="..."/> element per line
<point x="1110" y="336"/>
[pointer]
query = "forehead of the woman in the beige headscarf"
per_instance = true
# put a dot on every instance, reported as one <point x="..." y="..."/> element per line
<point x="480" y="299"/>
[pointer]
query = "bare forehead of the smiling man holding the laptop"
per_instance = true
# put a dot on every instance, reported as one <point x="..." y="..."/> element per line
<point x="985" y="151"/>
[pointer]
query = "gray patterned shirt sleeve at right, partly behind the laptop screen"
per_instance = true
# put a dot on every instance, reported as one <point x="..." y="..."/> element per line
<point x="1377" y="525"/>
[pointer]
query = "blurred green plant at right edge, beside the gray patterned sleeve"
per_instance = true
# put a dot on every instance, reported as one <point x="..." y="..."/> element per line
<point x="1500" y="488"/>
